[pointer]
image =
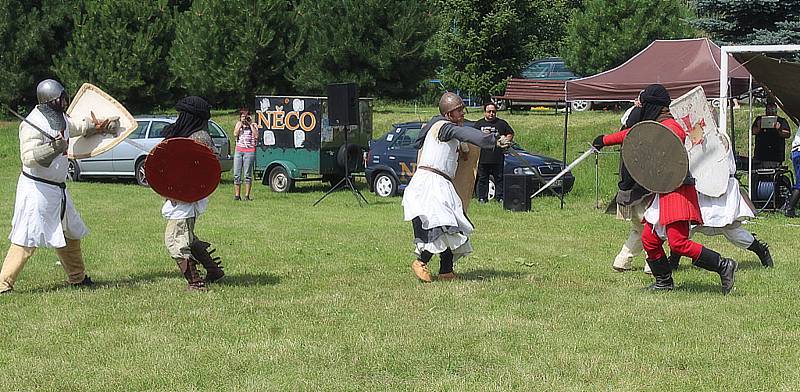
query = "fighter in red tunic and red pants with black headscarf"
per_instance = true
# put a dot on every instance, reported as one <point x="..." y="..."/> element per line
<point x="671" y="214"/>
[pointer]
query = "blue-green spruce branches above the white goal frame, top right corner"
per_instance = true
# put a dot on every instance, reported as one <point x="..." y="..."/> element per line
<point x="758" y="22"/>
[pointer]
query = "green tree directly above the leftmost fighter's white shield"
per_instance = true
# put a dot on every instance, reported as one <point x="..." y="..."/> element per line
<point x="120" y="46"/>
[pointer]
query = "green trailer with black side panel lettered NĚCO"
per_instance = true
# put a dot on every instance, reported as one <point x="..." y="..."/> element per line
<point x="297" y="143"/>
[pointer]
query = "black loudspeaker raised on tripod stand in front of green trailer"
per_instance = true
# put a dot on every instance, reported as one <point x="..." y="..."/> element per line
<point x="342" y="114"/>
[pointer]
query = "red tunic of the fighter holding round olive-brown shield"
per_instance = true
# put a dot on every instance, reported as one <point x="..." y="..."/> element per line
<point x="680" y="204"/>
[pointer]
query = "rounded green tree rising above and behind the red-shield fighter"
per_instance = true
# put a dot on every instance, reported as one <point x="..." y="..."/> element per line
<point x="224" y="50"/>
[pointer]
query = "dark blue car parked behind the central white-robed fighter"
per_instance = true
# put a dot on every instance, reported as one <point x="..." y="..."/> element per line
<point x="392" y="161"/>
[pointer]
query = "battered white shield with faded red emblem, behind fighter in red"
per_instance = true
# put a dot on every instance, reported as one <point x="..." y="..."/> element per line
<point x="707" y="146"/>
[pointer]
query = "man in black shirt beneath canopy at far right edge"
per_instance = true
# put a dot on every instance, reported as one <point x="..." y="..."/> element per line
<point x="771" y="133"/>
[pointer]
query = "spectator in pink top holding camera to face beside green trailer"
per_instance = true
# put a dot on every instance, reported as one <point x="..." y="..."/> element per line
<point x="246" y="134"/>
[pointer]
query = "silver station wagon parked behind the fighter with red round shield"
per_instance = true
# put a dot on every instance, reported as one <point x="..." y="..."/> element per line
<point x="127" y="158"/>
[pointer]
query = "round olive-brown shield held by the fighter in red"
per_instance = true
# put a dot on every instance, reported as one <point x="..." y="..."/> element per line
<point x="655" y="157"/>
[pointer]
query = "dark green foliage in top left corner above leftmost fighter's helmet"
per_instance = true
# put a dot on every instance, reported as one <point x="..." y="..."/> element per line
<point x="31" y="35"/>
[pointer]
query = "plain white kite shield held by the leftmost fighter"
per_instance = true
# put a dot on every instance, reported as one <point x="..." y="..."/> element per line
<point x="91" y="100"/>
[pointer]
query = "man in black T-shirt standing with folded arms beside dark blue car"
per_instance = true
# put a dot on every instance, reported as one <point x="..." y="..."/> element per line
<point x="492" y="159"/>
